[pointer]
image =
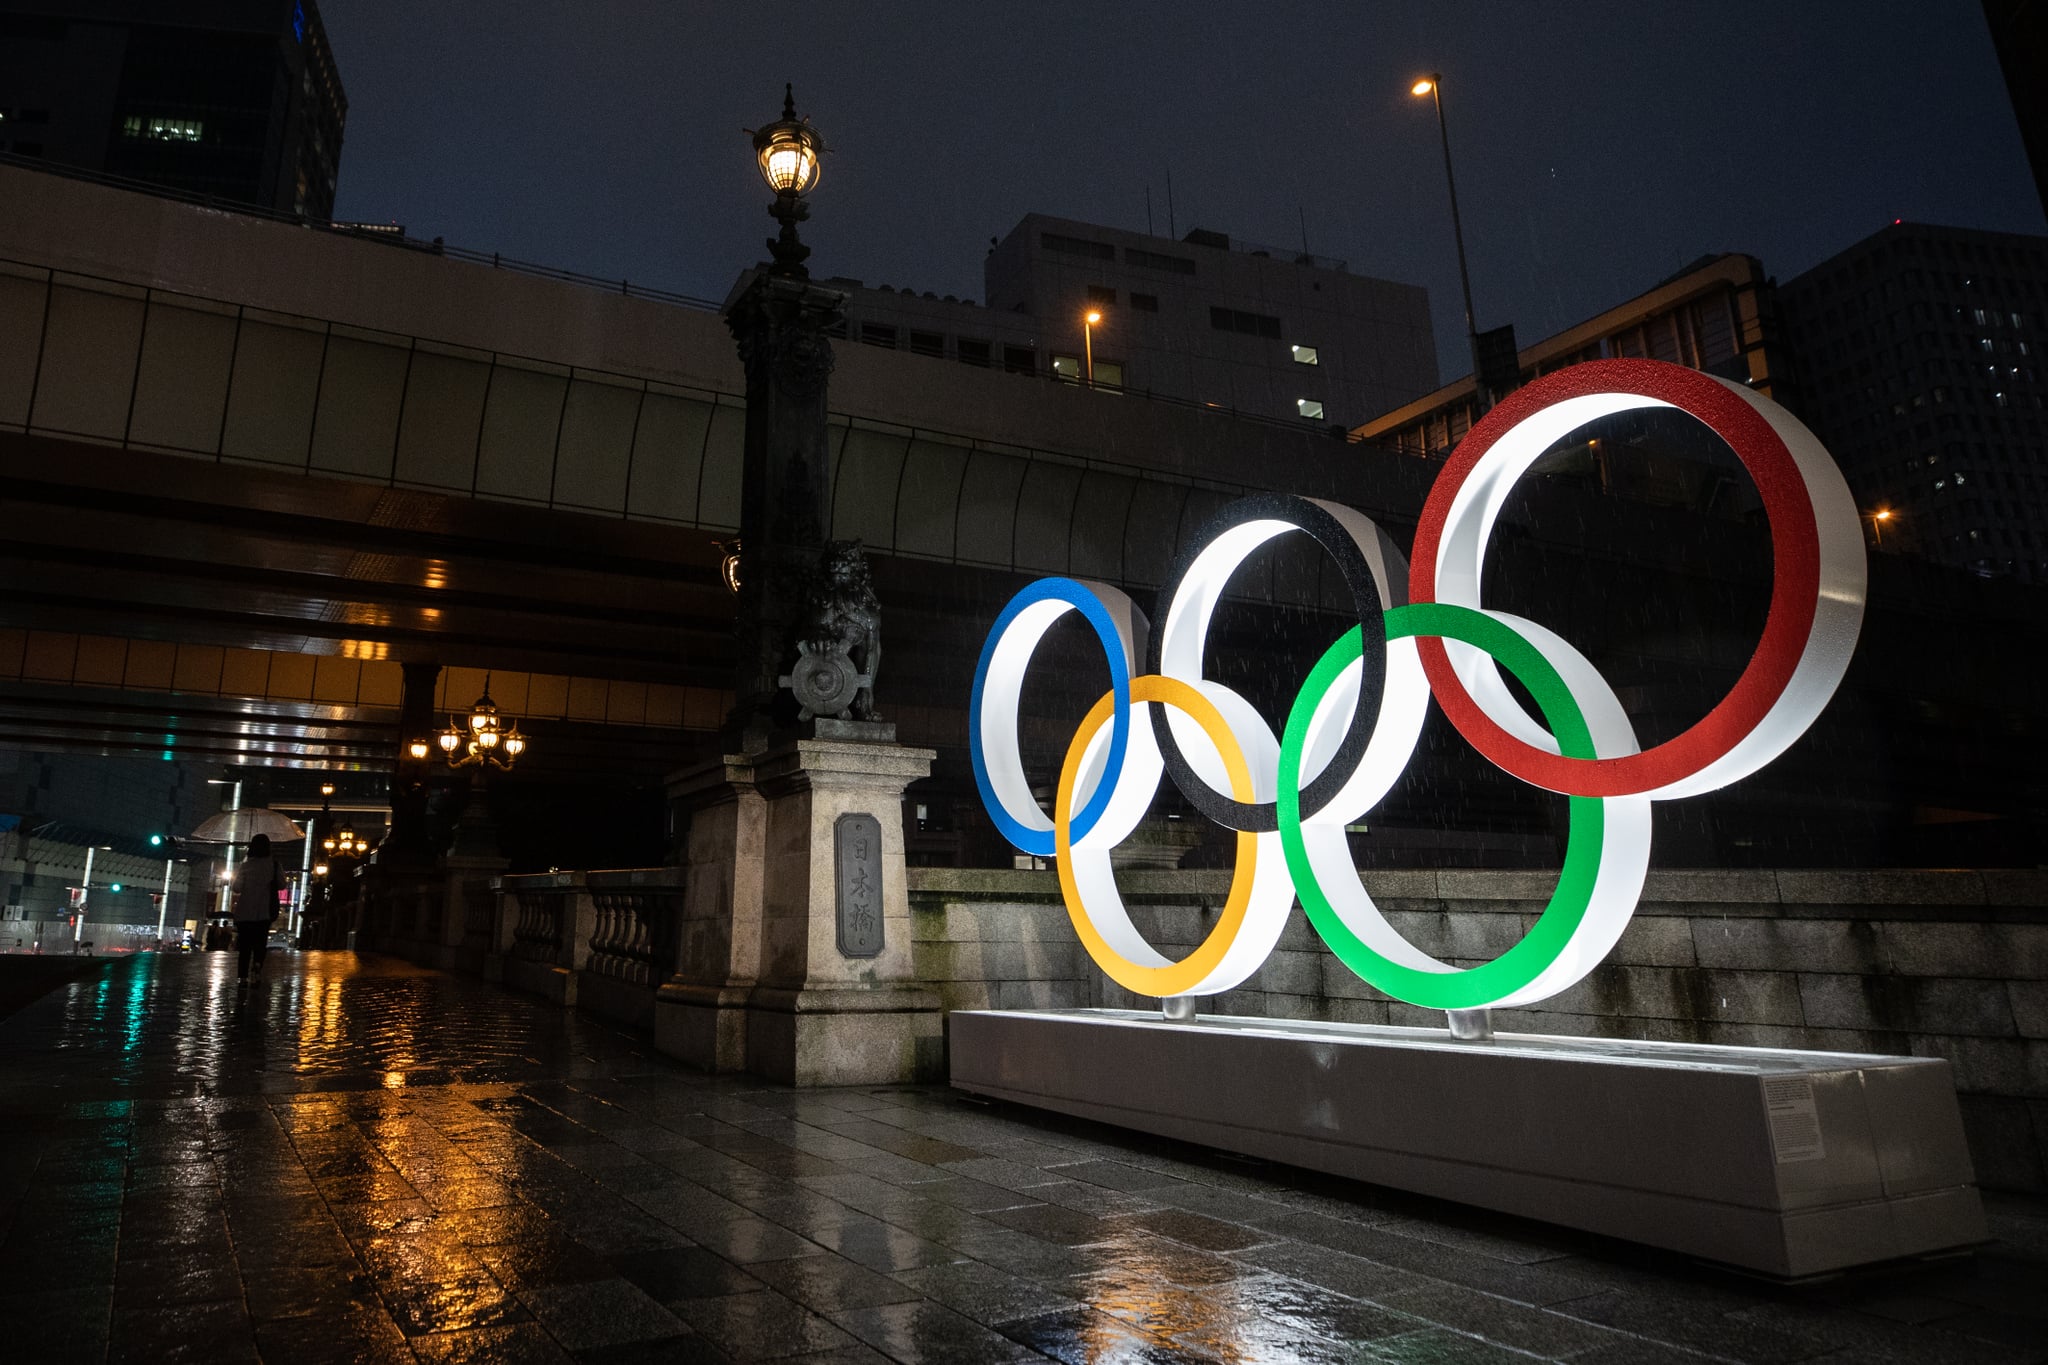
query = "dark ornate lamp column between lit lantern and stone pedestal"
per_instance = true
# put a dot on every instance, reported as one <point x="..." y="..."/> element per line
<point x="785" y="494"/>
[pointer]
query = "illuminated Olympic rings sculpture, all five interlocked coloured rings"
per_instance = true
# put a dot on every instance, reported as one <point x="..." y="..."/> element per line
<point x="1422" y="633"/>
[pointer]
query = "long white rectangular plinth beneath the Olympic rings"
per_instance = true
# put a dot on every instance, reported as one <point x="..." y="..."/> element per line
<point x="1785" y="1163"/>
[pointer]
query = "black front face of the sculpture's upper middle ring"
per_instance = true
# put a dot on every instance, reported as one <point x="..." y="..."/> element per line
<point x="1330" y="533"/>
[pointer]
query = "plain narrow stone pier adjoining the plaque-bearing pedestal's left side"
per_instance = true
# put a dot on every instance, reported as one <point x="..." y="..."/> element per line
<point x="699" y="1014"/>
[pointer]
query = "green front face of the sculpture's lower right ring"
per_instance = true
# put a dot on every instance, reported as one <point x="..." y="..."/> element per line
<point x="1562" y="918"/>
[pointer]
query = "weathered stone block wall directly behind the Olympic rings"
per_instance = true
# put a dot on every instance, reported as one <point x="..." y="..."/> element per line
<point x="1904" y="963"/>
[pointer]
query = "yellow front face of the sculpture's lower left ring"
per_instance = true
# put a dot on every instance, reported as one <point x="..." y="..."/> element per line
<point x="1187" y="975"/>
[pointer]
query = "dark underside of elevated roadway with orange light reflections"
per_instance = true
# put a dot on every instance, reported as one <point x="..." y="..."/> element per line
<point x="228" y="613"/>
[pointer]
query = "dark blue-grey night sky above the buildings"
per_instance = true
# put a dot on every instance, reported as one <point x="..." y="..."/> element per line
<point x="1601" y="146"/>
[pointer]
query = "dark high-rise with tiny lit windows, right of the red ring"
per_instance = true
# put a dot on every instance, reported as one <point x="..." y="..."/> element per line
<point x="1922" y="371"/>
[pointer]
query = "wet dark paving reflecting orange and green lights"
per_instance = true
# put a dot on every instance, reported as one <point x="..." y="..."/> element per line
<point x="366" y="1161"/>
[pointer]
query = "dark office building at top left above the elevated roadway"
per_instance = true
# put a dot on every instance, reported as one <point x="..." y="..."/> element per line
<point x="220" y="99"/>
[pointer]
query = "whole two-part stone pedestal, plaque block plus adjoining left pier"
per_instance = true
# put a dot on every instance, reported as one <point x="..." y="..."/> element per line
<point x="765" y="977"/>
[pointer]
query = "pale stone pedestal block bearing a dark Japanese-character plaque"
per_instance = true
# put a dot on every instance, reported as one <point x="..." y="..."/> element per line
<point x="837" y="1002"/>
